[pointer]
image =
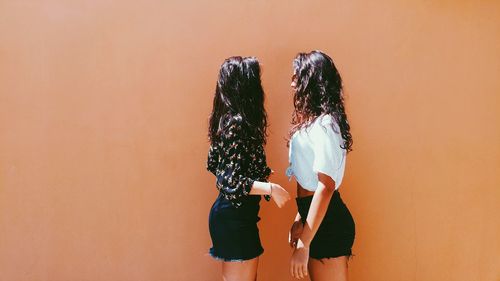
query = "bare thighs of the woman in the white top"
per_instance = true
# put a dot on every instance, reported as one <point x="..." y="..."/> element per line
<point x="332" y="269"/>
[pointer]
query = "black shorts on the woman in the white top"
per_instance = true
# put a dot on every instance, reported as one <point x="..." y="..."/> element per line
<point x="335" y="235"/>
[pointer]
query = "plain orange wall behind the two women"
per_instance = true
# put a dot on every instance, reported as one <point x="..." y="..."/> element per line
<point x="103" y="110"/>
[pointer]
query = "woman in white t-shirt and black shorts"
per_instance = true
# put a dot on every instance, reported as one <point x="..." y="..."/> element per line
<point x="323" y="232"/>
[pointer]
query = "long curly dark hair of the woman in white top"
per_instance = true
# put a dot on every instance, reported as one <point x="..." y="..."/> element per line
<point x="318" y="91"/>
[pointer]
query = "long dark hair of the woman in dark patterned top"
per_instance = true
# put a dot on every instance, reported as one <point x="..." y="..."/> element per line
<point x="239" y="94"/>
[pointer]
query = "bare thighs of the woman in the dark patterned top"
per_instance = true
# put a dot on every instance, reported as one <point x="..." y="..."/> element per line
<point x="240" y="271"/>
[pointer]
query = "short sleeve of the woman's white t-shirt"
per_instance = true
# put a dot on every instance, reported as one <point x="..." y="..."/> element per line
<point x="328" y="155"/>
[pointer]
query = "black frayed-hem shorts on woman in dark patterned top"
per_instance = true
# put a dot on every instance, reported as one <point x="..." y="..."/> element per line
<point x="234" y="232"/>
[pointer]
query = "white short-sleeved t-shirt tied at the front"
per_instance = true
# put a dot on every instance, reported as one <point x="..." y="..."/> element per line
<point x="317" y="149"/>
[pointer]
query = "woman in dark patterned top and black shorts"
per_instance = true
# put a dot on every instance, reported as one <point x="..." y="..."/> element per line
<point x="237" y="133"/>
